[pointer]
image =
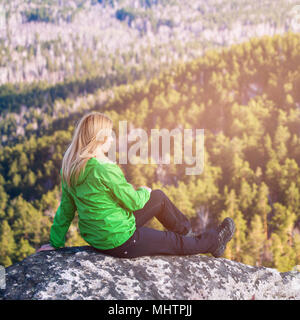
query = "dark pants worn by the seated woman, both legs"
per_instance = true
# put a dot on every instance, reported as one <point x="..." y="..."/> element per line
<point x="148" y="242"/>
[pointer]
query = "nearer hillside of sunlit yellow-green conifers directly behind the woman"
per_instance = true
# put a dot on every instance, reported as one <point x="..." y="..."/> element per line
<point x="247" y="99"/>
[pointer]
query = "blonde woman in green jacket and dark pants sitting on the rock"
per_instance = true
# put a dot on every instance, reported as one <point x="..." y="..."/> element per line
<point x="112" y="213"/>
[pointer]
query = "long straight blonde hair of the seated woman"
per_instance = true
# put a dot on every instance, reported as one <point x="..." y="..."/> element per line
<point x="91" y="131"/>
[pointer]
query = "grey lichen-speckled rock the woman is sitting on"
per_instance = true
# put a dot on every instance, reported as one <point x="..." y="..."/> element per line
<point x="83" y="273"/>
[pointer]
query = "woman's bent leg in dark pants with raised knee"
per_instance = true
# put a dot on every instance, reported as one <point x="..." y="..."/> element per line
<point x="161" y="207"/>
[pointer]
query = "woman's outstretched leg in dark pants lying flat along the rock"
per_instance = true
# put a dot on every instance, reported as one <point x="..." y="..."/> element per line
<point x="149" y="242"/>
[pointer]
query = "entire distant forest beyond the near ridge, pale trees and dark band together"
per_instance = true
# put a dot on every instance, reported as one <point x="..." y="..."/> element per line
<point x="55" y="55"/>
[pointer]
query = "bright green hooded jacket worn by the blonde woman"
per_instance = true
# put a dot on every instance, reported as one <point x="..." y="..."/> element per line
<point x="104" y="201"/>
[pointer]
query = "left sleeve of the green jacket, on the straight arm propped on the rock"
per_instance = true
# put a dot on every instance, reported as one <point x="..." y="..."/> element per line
<point x="62" y="219"/>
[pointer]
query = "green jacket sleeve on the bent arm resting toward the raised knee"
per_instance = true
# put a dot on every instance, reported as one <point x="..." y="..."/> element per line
<point x="112" y="176"/>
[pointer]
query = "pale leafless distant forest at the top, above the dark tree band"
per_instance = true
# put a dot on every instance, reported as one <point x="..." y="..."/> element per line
<point x="56" y="40"/>
